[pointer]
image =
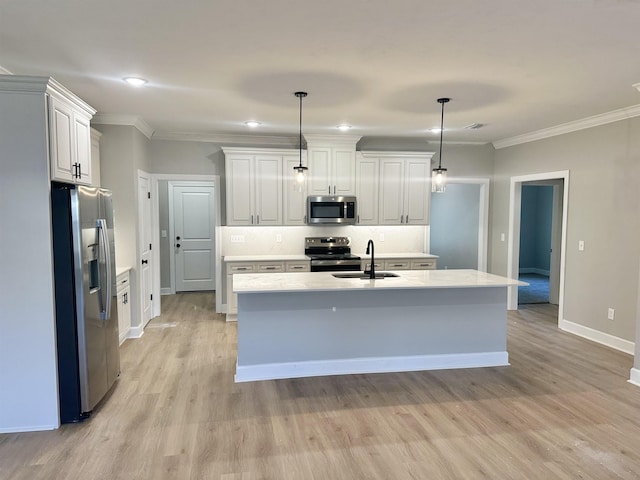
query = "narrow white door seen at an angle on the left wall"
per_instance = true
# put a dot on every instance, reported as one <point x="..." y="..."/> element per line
<point x="145" y="248"/>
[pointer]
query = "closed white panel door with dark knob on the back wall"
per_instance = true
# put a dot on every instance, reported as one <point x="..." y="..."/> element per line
<point x="194" y="237"/>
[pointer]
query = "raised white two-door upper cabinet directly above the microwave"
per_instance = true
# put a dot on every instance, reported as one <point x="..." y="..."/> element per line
<point x="332" y="164"/>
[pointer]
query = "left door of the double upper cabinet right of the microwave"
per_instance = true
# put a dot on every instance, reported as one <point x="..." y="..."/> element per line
<point x="391" y="194"/>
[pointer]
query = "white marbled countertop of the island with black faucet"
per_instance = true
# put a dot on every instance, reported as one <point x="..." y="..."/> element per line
<point x="407" y="279"/>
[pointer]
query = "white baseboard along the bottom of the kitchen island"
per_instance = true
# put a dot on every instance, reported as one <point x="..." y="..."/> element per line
<point x="272" y="371"/>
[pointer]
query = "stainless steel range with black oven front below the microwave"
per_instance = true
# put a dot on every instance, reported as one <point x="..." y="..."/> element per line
<point x="331" y="254"/>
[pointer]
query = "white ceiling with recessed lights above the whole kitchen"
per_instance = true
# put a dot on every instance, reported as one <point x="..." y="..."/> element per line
<point x="379" y="65"/>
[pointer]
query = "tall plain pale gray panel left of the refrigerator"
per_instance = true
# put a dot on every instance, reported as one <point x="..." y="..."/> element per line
<point x="28" y="374"/>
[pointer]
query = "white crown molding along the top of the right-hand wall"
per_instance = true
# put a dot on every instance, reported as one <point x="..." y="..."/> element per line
<point x="589" y="122"/>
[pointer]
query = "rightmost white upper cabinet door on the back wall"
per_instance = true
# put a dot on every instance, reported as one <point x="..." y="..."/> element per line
<point x="417" y="192"/>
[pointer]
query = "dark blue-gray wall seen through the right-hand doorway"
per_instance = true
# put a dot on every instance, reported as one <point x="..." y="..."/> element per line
<point x="535" y="228"/>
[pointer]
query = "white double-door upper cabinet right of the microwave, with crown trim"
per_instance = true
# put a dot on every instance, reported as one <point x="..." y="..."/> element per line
<point x="404" y="187"/>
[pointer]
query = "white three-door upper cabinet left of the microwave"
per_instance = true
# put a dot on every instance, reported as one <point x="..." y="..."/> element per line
<point x="255" y="184"/>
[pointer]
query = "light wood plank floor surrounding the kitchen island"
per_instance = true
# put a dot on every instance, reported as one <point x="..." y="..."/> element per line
<point x="562" y="410"/>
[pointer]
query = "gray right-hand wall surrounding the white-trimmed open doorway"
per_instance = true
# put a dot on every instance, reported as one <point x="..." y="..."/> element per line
<point x="604" y="164"/>
